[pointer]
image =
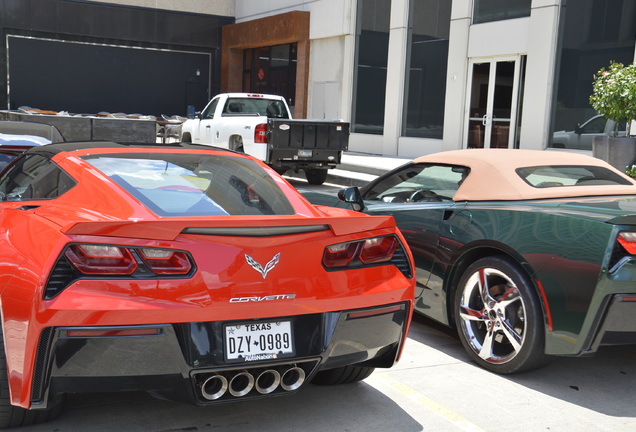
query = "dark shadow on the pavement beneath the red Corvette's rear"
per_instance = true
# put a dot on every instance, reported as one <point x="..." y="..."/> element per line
<point x="351" y="407"/>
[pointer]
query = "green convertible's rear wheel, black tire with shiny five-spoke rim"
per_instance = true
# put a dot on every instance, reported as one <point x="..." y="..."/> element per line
<point x="499" y="317"/>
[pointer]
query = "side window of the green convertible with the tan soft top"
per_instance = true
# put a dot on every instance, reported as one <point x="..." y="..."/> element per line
<point x="414" y="183"/>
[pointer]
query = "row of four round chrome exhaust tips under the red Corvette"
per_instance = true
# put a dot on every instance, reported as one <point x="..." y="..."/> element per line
<point x="240" y="383"/>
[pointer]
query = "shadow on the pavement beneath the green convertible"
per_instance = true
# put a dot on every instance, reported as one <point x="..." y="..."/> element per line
<point x="603" y="382"/>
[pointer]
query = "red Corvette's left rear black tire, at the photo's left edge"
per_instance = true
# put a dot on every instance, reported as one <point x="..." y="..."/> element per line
<point x="12" y="416"/>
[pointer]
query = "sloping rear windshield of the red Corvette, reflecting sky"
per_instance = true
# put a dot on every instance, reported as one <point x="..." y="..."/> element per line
<point x="188" y="184"/>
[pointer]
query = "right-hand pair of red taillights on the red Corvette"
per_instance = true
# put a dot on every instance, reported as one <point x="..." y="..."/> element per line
<point x="368" y="251"/>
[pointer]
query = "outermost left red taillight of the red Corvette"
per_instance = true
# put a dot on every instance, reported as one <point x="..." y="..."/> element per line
<point x="101" y="259"/>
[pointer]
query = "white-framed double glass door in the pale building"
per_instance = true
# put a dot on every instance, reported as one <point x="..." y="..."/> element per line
<point x="493" y="105"/>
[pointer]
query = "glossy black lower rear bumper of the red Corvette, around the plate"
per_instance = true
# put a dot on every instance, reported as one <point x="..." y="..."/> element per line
<point x="181" y="362"/>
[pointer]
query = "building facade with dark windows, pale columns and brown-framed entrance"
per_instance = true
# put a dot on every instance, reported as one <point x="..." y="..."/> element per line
<point x="412" y="76"/>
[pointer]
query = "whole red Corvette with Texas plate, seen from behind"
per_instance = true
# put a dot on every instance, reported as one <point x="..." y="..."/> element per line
<point x="193" y="273"/>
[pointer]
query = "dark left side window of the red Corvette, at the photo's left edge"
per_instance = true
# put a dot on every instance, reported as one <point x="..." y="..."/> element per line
<point x="34" y="177"/>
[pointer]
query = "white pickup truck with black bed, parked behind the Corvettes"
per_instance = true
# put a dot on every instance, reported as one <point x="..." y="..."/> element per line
<point x="261" y="125"/>
